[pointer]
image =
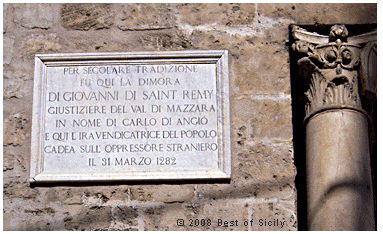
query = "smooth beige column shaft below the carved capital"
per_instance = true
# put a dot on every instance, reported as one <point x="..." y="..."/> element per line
<point x="339" y="171"/>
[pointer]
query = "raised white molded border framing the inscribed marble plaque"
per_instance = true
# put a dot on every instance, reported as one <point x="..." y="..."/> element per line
<point x="42" y="61"/>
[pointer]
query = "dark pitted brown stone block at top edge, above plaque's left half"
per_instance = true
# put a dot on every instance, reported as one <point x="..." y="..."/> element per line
<point x="86" y="16"/>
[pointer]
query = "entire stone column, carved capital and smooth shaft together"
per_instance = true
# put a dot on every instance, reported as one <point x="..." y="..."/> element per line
<point x="339" y="184"/>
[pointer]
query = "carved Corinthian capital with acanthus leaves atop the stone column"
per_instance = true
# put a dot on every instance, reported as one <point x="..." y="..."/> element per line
<point x="335" y="66"/>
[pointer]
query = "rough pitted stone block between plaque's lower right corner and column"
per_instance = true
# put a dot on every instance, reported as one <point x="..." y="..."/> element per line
<point x="267" y="171"/>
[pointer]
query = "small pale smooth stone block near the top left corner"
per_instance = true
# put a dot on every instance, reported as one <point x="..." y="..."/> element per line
<point x="34" y="16"/>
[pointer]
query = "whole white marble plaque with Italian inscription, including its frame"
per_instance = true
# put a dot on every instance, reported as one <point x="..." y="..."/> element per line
<point x="131" y="116"/>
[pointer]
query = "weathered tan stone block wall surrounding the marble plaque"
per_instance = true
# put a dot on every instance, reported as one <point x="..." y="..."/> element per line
<point x="262" y="187"/>
